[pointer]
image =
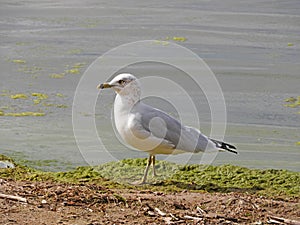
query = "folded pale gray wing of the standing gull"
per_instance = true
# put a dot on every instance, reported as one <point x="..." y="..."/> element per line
<point x="162" y="125"/>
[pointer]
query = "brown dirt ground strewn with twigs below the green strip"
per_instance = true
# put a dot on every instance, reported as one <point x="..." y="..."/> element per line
<point x="53" y="203"/>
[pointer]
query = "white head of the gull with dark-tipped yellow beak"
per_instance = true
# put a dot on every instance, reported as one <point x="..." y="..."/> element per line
<point x="123" y="84"/>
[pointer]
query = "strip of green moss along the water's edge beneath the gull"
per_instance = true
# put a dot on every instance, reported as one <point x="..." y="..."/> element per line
<point x="172" y="177"/>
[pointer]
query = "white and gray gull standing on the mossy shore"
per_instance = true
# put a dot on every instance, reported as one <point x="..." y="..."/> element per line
<point x="151" y="130"/>
